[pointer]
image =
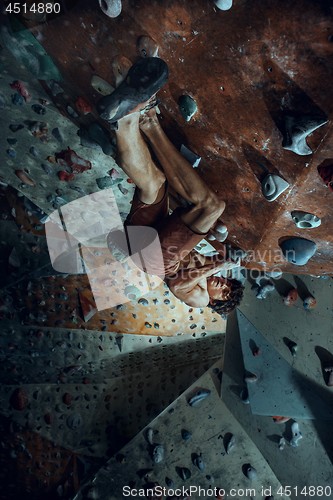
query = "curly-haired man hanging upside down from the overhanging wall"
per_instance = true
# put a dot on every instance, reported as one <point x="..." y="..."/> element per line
<point x="189" y="275"/>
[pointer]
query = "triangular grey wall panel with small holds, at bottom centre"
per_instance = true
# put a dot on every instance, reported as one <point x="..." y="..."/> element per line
<point x="210" y="424"/>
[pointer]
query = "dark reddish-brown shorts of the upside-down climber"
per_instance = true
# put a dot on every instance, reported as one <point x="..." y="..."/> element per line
<point x="176" y="239"/>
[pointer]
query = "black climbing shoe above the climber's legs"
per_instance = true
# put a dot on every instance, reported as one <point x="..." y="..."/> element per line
<point x="144" y="79"/>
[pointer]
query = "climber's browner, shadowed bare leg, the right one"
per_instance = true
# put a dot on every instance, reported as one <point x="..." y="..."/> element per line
<point x="184" y="180"/>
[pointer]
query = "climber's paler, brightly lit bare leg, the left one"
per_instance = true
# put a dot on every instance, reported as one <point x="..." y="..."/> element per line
<point x="135" y="159"/>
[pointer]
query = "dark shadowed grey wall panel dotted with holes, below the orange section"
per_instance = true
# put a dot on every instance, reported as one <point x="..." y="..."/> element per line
<point x="82" y="392"/>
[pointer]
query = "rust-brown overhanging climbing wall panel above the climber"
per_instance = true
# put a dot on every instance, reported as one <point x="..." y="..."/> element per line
<point x="247" y="68"/>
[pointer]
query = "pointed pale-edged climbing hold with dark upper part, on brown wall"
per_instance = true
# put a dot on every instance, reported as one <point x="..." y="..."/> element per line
<point x="297" y="129"/>
